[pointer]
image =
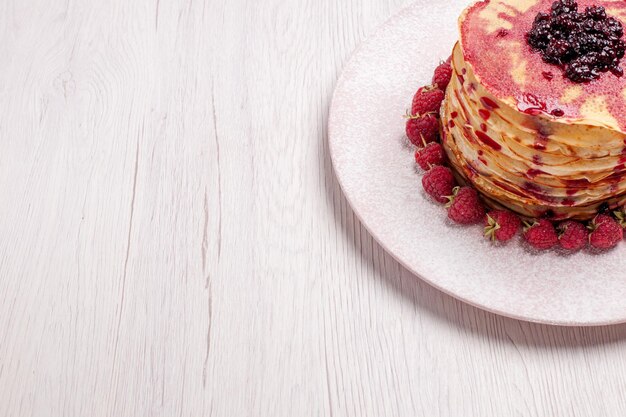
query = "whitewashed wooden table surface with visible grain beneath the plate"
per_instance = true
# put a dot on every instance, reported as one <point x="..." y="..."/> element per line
<point x="174" y="241"/>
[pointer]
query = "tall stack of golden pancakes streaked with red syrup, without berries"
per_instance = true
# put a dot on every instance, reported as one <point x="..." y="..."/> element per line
<point x="528" y="138"/>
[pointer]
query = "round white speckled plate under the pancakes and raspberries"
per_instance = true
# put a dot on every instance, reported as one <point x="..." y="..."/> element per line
<point x="377" y="173"/>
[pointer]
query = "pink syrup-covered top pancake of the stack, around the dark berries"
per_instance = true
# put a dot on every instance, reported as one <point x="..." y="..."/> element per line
<point x="493" y="38"/>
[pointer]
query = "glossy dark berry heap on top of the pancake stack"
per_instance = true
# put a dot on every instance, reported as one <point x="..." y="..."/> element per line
<point x="584" y="45"/>
